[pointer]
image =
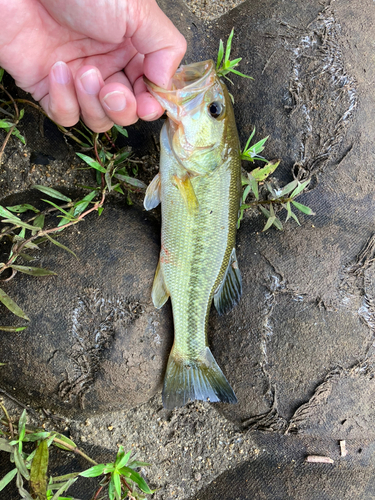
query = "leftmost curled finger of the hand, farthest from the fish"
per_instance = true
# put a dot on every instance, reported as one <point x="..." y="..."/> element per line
<point x="61" y="102"/>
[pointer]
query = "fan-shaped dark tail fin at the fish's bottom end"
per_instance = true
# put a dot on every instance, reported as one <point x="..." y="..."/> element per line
<point x="198" y="379"/>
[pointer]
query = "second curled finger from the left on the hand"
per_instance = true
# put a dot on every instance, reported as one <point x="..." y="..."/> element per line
<point x="88" y="84"/>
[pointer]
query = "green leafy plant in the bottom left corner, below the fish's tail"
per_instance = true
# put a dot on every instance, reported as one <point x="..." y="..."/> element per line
<point x="120" y="478"/>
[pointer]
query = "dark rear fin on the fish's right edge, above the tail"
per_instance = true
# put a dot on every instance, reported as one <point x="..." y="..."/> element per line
<point x="229" y="292"/>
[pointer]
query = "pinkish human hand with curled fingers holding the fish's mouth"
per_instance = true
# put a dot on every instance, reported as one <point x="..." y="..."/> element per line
<point x="88" y="58"/>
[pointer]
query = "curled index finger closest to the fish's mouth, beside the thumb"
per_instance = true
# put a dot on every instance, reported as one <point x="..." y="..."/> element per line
<point x="147" y="106"/>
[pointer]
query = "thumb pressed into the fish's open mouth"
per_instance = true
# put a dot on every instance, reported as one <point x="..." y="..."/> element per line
<point x="160" y="41"/>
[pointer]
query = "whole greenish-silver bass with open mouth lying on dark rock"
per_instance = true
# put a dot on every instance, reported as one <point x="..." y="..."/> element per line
<point x="199" y="188"/>
